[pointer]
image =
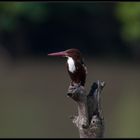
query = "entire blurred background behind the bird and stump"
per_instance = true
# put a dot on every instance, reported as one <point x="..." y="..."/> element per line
<point x="33" y="86"/>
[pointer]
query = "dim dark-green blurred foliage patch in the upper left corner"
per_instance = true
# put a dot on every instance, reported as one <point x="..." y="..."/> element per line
<point x="10" y="12"/>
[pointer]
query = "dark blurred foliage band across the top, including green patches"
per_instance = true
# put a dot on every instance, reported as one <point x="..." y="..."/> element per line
<point x="96" y="28"/>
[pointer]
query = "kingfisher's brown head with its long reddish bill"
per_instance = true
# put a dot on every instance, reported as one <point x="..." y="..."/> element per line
<point x="74" y="53"/>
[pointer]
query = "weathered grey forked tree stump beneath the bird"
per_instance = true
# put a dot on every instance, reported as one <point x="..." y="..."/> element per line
<point x="90" y="120"/>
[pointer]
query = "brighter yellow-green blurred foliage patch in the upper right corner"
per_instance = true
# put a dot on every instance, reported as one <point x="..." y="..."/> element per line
<point x="128" y="14"/>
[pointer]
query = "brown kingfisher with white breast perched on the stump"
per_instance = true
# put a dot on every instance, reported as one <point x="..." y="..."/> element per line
<point x="75" y="65"/>
